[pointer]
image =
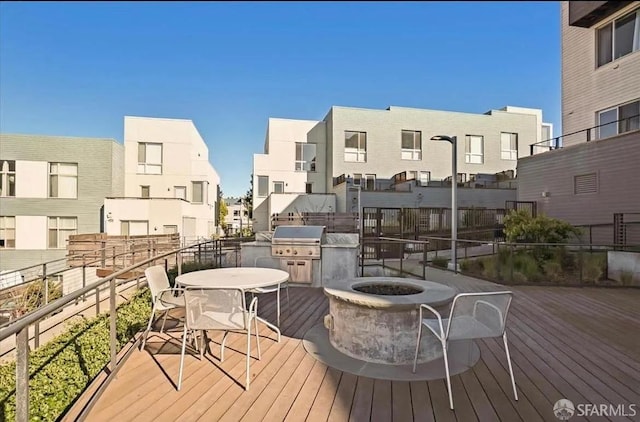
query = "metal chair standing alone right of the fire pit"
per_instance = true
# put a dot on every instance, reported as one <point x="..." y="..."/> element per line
<point x="472" y="316"/>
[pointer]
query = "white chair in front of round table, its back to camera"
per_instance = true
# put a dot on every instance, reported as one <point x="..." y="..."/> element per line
<point x="221" y="309"/>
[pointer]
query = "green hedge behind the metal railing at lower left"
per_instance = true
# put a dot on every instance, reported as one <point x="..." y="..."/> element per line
<point x="63" y="368"/>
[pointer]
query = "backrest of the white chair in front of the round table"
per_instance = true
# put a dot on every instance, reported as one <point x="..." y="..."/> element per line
<point x="215" y="308"/>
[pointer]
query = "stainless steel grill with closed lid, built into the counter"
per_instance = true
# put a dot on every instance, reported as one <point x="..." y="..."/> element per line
<point x="298" y="247"/>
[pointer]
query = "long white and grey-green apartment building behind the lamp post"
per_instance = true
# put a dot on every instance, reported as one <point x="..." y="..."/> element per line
<point x="303" y="158"/>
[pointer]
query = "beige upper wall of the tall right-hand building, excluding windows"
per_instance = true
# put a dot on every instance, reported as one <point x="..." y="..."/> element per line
<point x="587" y="88"/>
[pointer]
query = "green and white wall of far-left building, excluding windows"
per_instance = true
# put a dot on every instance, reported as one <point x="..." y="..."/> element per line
<point x="98" y="164"/>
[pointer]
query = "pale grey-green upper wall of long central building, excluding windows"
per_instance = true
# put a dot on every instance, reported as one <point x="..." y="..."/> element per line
<point x="384" y="127"/>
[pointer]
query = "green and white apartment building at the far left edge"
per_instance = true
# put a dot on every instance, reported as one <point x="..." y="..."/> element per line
<point x="50" y="188"/>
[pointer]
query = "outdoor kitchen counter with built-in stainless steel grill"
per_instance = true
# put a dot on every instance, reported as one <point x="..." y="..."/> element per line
<point x="309" y="254"/>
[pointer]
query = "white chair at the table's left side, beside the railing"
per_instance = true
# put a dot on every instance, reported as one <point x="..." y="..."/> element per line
<point x="164" y="297"/>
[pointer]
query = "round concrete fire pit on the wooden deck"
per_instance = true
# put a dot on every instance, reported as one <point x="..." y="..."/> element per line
<point x="375" y="319"/>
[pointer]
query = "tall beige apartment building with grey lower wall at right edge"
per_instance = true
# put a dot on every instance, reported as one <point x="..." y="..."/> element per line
<point x="594" y="175"/>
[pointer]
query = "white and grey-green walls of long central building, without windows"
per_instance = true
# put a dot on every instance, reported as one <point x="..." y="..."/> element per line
<point x="383" y="149"/>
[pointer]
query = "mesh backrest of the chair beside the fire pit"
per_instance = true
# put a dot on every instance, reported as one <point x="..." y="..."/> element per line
<point x="478" y="315"/>
